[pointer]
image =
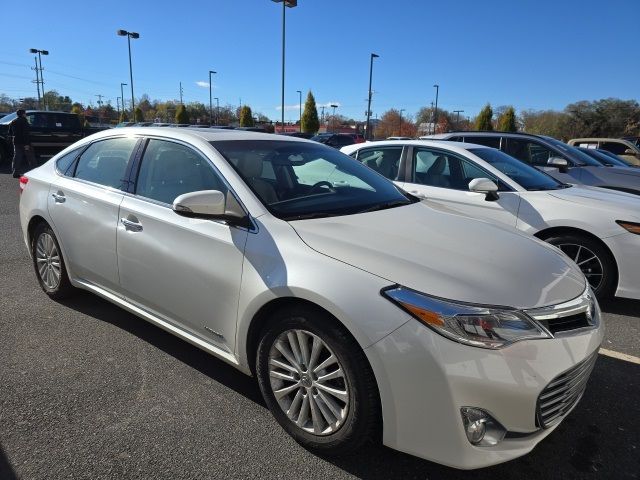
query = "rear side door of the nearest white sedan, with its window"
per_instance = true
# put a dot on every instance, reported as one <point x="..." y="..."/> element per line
<point x="83" y="204"/>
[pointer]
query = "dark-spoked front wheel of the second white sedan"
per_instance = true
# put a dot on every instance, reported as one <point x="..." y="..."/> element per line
<point x="601" y="271"/>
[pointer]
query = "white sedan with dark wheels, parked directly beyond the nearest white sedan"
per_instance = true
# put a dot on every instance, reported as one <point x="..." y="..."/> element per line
<point x="598" y="229"/>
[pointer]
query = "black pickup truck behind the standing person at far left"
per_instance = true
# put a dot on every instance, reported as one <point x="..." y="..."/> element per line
<point x="50" y="132"/>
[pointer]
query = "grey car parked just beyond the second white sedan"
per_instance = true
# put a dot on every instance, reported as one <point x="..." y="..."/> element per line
<point x="562" y="161"/>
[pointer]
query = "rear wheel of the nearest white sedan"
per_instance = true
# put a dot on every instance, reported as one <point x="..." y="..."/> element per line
<point x="48" y="263"/>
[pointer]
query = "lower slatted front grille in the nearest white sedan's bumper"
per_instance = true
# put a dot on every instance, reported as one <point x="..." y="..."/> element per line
<point x="563" y="392"/>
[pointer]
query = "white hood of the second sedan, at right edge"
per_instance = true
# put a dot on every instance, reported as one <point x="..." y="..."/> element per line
<point x="604" y="198"/>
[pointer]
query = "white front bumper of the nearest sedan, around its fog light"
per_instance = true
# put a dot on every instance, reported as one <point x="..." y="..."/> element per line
<point x="424" y="379"/>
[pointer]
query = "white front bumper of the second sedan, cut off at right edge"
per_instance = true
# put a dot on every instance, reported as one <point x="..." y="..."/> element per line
<point x="626" y="250"/>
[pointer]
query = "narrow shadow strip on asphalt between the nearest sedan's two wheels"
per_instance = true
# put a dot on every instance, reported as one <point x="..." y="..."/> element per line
<point x="205" y="363"/>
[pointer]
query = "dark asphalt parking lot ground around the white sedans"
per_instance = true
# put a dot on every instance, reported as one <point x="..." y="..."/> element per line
<point x="88" y="390"/>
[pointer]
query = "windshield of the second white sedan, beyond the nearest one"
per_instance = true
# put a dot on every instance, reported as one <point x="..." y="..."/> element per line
<point x="525" y="175"/>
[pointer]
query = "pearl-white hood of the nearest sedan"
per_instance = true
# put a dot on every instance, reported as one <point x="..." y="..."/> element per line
<point x="447" y="255"/>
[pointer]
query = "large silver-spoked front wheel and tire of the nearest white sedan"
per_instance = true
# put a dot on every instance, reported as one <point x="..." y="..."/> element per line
<point x="340" y="425"/>
